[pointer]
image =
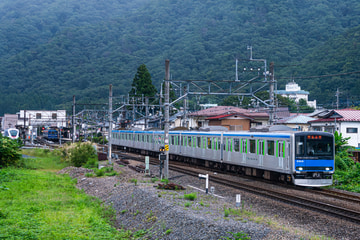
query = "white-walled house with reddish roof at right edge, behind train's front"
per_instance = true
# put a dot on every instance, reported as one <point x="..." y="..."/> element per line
<point x="345" y="121"/>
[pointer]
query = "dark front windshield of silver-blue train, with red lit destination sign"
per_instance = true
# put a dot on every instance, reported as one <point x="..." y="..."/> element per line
<point x="314" y="146"/>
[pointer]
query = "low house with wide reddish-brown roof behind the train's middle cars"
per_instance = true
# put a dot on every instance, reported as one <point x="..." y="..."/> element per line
<point x="233" y="118"/>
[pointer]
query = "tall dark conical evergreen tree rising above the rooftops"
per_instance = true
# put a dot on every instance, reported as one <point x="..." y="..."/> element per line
<point x="142" y="83"/>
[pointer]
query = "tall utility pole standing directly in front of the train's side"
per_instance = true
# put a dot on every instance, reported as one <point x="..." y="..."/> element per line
<point x="166" y="129"/>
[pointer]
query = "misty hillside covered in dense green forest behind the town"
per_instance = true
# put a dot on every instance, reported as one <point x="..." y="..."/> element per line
<point x="54" y="49"/>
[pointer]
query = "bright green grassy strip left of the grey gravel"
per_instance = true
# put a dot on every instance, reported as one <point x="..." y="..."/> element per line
<point x="37" y="203"/>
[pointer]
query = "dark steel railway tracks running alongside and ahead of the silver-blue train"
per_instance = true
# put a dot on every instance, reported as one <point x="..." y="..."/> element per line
<point x="310" y="204"/>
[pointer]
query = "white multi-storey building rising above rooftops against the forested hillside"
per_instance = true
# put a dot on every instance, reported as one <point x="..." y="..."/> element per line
<point x="293" y="91"/>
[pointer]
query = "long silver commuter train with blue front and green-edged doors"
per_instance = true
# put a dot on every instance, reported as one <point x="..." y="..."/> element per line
<point x="300" y="158"/>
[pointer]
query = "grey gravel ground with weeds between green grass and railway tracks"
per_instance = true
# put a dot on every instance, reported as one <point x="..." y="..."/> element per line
<point x="166" y="214"/>
